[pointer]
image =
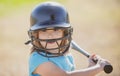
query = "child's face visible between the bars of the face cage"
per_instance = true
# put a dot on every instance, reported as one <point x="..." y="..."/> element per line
<point x="51" y="34"/>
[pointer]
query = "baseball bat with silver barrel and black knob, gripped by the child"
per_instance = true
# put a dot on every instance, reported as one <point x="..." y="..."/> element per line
<point x="107" y="68"/>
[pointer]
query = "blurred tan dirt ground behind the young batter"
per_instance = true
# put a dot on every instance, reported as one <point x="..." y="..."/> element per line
<point x="96" y="29"/>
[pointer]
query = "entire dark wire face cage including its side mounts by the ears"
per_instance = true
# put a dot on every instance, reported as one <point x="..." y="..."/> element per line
<point x="39" y="50"/>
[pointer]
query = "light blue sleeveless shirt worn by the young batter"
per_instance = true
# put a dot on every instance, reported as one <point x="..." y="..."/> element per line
<point x="65" y="62"/>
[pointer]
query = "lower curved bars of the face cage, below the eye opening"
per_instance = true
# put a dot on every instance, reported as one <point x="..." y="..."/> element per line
<point x="48" y="54"/>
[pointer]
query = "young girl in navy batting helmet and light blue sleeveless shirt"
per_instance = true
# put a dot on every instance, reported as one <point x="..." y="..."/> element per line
<point x="50" y="33"/>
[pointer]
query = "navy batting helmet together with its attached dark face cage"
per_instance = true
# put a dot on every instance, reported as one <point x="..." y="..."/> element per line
<point x="50" y="15"/>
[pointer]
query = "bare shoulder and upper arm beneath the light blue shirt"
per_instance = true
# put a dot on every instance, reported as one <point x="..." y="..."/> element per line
<point x="49" y="69"/>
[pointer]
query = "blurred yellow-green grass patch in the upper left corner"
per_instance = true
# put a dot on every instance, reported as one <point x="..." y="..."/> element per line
<point x="12" y="5"/>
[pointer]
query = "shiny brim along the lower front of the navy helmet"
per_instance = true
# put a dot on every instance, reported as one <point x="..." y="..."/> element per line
<point x="37" y="26"/>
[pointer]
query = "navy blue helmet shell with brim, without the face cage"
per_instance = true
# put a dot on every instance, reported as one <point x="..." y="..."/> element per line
<point x="49" y="14"/>
